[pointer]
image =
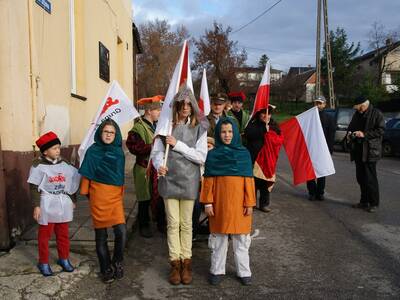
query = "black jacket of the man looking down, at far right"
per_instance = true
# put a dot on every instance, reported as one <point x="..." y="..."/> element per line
<point x="371" y="144"/>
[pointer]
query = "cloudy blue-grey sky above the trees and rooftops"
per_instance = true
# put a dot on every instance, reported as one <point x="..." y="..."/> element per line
<point x="286" y="33"/>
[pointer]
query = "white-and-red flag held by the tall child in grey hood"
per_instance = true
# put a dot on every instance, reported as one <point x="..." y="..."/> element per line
<point x="182" y="75"/>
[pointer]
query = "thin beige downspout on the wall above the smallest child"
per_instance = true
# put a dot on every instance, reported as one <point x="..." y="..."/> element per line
<point x="32" y="75"/>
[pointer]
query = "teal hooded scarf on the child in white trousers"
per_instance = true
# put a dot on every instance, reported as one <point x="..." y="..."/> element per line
<point x="228" y="160"/>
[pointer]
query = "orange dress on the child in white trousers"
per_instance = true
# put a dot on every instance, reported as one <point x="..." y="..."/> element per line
<point x="229" y="195"/>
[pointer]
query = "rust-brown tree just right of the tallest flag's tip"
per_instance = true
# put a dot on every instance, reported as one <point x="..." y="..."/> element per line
<point x="220" y="56"/>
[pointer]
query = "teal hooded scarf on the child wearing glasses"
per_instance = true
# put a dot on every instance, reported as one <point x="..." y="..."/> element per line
<point x="105" y="163"/>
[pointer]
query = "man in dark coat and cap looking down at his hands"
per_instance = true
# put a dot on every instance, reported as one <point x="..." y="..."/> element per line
<point x="365" y="132"/>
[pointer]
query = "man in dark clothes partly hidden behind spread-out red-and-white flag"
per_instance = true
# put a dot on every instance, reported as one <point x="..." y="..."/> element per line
<point x="316" y="188"/>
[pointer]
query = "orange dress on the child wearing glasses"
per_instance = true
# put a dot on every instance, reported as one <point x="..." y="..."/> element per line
<point x="106" y="203"/>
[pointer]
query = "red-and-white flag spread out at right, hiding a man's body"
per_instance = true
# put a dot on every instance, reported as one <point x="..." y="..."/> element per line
<point x="306" y="147"/>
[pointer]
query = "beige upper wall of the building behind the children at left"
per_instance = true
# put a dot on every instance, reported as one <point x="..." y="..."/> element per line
<point x="47" y="52"/>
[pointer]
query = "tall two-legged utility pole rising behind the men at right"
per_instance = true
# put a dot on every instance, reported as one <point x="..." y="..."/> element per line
<point x="332" y="101"/>
